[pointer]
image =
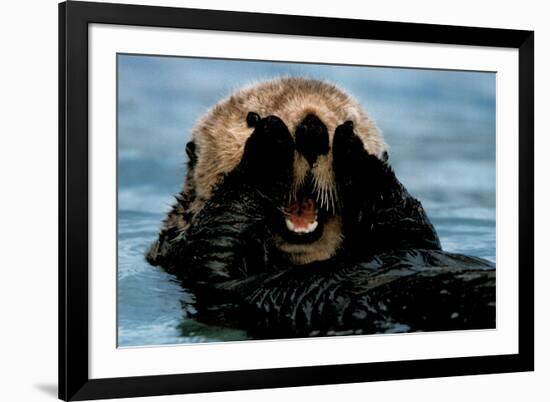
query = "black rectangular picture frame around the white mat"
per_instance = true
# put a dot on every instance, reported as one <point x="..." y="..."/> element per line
<point x="74" y="381"/>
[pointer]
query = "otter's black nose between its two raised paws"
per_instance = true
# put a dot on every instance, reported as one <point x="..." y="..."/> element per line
<point x="312" y="138"/>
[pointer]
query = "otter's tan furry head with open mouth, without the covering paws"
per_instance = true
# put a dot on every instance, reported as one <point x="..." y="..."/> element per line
<point x="310" y="226"/>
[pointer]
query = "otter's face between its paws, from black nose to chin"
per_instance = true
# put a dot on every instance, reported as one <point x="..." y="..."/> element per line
<point x="310" y="224"/>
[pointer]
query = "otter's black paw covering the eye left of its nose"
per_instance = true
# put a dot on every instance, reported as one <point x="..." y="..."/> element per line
<point x="269" y="151"/>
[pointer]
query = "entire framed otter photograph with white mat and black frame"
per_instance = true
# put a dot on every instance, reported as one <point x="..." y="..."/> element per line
<point x="256" y="200"/>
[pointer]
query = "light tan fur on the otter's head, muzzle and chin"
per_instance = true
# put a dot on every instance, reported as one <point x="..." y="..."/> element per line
<point x="219" y="138"/>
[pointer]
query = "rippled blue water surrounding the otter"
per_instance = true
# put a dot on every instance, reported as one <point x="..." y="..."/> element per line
<point x="440" y="126"/>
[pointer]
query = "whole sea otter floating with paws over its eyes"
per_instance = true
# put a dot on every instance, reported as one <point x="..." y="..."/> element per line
<point x="291" y="222"/>
